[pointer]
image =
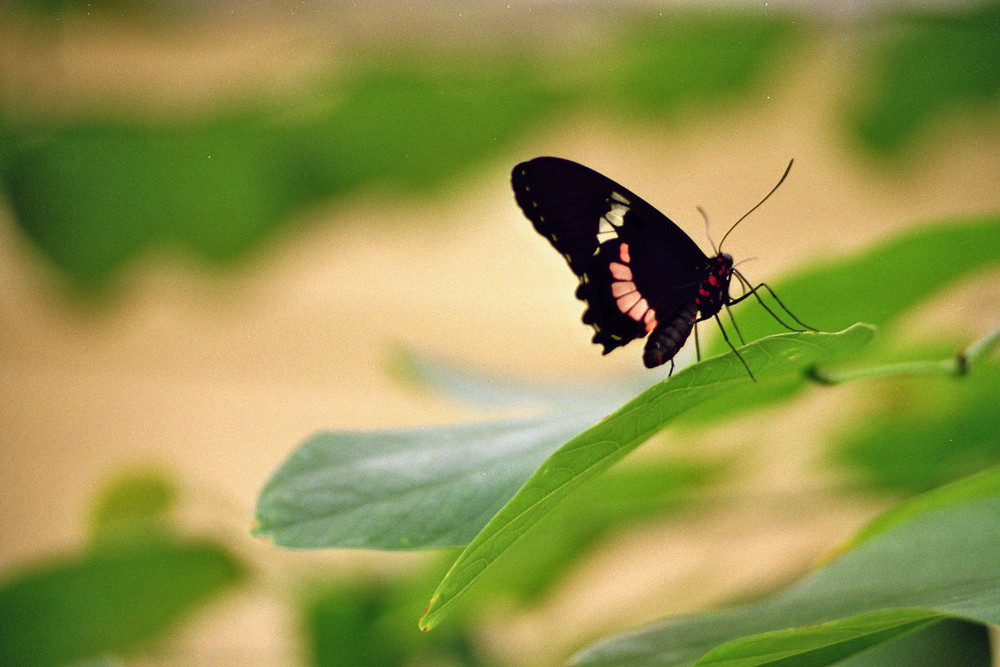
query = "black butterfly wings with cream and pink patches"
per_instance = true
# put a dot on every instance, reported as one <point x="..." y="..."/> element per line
<point x="636" y="267"/>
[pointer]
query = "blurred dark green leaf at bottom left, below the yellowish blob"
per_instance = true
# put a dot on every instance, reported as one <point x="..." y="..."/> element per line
<point x="107" y="601"/>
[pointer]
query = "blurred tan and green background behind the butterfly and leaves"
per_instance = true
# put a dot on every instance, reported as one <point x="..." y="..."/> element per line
<point x="222" y="222"/>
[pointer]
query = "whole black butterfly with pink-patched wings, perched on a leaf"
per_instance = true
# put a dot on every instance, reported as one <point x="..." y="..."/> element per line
<point x="639" y="272"/>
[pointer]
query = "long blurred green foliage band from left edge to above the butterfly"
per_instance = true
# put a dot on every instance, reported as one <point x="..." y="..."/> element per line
<point x="94" y="191"/>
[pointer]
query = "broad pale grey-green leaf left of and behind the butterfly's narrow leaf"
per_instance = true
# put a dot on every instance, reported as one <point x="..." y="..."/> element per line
<point x="406" y="489"/>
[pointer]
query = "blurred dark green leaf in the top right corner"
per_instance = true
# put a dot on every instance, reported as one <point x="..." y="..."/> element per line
<point x="924" y="67"/>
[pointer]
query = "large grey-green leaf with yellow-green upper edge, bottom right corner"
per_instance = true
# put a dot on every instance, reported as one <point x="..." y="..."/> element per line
<point x="941" y="561"/>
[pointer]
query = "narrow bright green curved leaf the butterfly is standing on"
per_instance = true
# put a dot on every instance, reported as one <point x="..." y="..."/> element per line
<point x="608" y="441"/>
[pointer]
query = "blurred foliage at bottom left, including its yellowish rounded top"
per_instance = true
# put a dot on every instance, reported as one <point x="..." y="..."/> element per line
<point x="129" y="587"/>
